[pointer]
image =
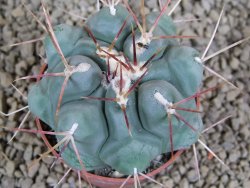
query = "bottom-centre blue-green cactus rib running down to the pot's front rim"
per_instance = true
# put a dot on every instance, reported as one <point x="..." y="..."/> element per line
<point x="128" y="152"/>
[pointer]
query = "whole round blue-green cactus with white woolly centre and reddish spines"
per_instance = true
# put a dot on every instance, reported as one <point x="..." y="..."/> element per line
<point x="129" y="94"/>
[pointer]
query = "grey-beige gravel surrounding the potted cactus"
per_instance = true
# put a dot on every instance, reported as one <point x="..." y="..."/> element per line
<point x="230" y="140"/>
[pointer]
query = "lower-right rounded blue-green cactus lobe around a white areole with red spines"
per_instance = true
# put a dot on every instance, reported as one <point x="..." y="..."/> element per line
<point x="154" y="120"/>
